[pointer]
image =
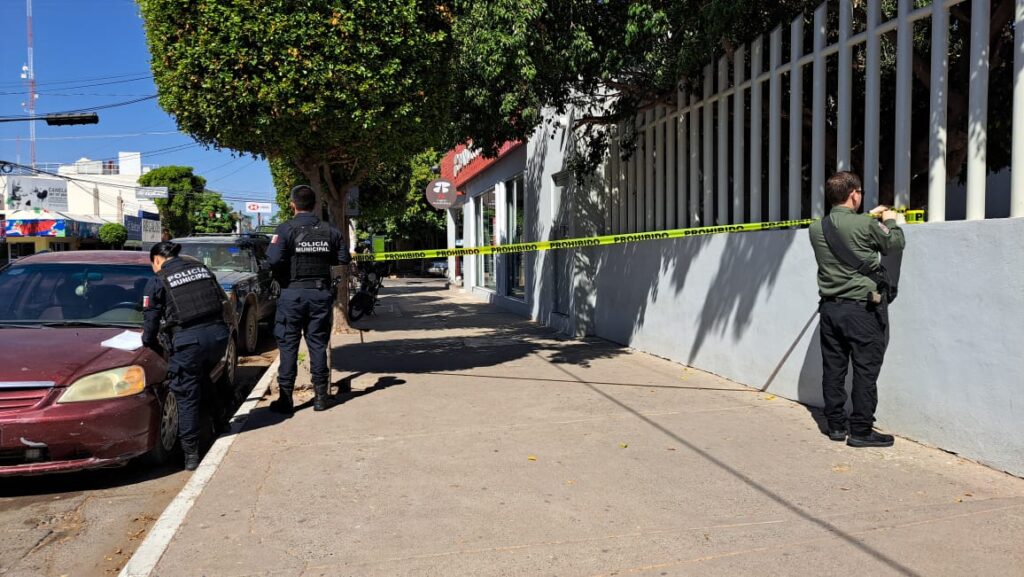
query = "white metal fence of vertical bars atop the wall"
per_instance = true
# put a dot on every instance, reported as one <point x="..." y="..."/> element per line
<point x="678" y="178"/>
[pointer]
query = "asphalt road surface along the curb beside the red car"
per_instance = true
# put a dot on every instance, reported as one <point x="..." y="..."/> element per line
<point x="89" y="524"/>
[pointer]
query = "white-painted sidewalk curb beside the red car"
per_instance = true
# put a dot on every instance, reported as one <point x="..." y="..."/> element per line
<point x="149" y="554"/>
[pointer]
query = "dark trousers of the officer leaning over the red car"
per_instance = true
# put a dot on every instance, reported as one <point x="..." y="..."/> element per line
<point x="195" y="353"/>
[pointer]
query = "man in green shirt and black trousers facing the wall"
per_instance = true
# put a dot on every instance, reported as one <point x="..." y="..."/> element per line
<point x="855" y="319"/>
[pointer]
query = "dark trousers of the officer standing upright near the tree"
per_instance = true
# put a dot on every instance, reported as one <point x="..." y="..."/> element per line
<point x="302" y="312"/>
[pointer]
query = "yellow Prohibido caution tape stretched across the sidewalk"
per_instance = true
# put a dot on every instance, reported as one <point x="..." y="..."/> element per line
<point x="586" y="242"/>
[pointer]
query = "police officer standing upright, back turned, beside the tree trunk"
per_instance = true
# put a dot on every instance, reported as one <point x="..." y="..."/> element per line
<point x="303" y="253"/>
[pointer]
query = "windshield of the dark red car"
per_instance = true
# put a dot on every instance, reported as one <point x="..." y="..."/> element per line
<point x="73" y="294"/>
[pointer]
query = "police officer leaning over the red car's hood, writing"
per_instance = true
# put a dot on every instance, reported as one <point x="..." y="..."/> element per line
<point x="186" y="296"/>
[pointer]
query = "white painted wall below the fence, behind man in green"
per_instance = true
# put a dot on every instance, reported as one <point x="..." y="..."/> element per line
<point x="745" y="307"/>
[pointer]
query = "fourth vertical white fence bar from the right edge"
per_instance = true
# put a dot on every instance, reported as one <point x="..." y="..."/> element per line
<point x="902" y="164"/>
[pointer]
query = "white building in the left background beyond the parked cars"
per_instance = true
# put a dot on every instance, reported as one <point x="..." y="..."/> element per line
<point x="107" y="189"/>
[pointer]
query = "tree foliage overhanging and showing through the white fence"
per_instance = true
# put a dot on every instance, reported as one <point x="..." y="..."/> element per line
<point x="610" y="61"/>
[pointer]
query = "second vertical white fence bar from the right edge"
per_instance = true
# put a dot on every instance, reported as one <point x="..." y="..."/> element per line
<point x="977" y="134"/>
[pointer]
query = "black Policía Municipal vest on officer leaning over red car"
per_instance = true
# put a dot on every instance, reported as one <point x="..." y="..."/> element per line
<point x="193" y="293"/>
